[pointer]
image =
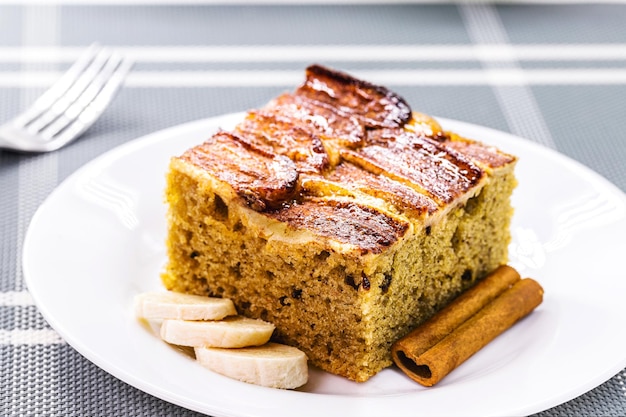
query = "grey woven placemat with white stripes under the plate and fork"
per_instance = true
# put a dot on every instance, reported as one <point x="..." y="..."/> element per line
<point x="551" y="73"/>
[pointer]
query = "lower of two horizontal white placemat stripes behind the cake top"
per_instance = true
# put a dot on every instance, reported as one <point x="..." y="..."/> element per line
<point x="262" y="78"/>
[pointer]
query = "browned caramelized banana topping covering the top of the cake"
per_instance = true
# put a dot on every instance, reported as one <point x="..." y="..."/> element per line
<point x="340" y="136"/>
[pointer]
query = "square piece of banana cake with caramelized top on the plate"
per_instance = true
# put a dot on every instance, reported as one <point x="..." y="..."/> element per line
<point x="340" y="215"/>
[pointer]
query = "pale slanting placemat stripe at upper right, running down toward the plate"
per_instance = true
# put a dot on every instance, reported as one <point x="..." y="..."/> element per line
<point x="517" y="101"/>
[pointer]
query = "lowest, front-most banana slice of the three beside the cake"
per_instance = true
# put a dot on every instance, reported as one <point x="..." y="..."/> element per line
<point x="271" y="365"/>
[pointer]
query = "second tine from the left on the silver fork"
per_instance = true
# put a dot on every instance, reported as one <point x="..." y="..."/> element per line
<point x="71" y="94"/>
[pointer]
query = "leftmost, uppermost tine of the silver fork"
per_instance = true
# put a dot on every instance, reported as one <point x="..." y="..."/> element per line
<point x="58" y="88"/>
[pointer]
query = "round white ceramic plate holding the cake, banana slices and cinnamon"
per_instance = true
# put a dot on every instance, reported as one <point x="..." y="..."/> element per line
<point x="98" y="240"/>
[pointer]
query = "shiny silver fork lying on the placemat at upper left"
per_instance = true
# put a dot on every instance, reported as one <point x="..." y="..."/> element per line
<point x="70" y="106"/>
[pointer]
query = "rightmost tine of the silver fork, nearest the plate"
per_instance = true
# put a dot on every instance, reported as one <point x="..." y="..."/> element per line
<point x="92" y="105"/>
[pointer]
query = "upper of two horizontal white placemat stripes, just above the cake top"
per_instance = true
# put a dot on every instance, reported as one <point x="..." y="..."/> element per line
<point x="344" y="53"/>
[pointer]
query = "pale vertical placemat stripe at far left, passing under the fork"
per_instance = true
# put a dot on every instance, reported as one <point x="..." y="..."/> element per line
<point x="37" y="177"/>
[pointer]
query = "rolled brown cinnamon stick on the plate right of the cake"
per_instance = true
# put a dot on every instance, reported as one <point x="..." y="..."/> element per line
<point x="466" y="325"/>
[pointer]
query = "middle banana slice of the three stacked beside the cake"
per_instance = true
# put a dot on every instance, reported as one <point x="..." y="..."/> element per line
<point x="231" y="332"/>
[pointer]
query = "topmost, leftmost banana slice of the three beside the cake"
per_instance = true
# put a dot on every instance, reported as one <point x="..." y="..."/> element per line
<point x="173" y="305"/>
